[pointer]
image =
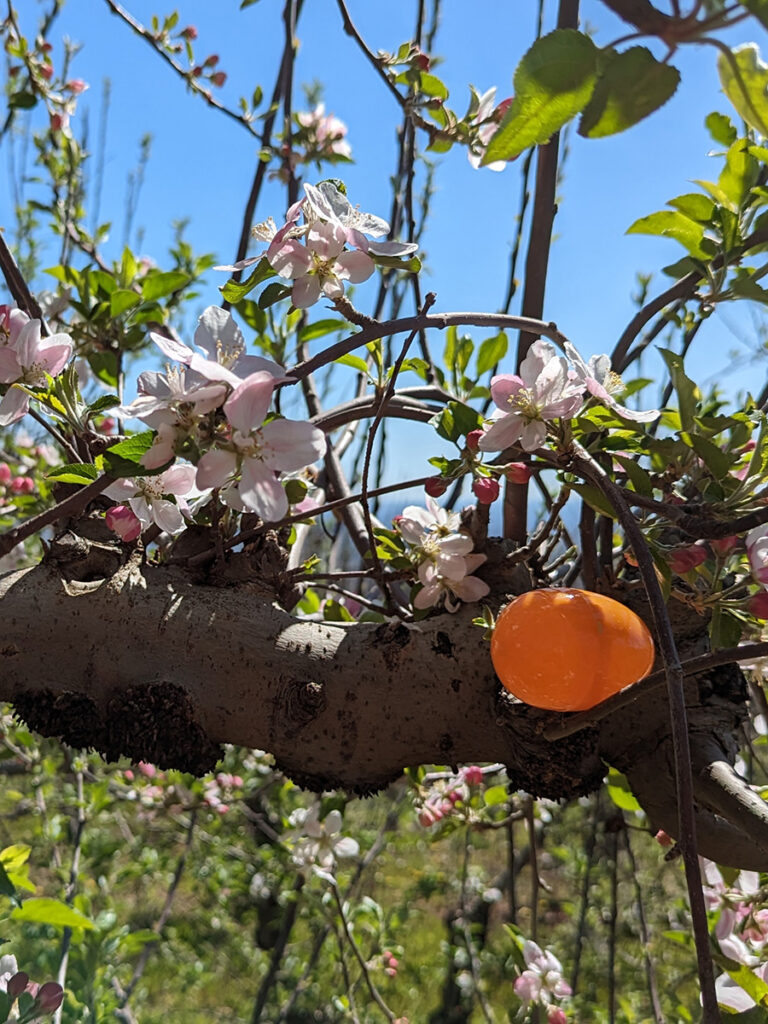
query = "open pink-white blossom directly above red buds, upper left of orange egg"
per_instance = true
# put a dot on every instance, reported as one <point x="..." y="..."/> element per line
<point x="543" y="392"/>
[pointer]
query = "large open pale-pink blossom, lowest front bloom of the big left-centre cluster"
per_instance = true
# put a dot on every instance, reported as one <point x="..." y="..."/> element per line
<point x="258" y="451"/>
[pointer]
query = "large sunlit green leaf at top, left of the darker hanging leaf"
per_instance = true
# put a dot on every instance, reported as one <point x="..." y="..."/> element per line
<point x="552" y="83"/>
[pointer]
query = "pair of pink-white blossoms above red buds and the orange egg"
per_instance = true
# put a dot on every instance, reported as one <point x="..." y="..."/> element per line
<point x="549" y="388"/>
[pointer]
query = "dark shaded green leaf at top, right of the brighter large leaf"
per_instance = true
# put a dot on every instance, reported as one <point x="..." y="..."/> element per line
<point x="631" y="86"/>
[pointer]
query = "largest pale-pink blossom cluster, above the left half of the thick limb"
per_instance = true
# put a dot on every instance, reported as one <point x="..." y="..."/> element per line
<point x="214" y="408"/>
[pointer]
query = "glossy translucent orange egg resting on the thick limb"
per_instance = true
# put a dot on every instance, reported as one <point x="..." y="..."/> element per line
<point x="569" y="650"/>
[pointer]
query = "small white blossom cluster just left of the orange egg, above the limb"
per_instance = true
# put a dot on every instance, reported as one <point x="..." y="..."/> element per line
<point x="443" y="557"/>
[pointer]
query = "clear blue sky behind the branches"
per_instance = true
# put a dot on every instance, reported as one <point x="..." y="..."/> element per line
<point x="202" y="164"/>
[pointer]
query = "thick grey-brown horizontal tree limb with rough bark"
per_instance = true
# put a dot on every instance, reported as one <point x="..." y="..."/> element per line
<point x="147" y="663"/>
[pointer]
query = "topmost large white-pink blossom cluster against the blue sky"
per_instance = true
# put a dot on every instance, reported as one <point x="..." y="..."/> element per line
<point x="315" y="255"/>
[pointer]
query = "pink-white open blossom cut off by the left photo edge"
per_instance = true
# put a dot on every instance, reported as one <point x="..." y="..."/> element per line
<point x="27" y="359"/>
